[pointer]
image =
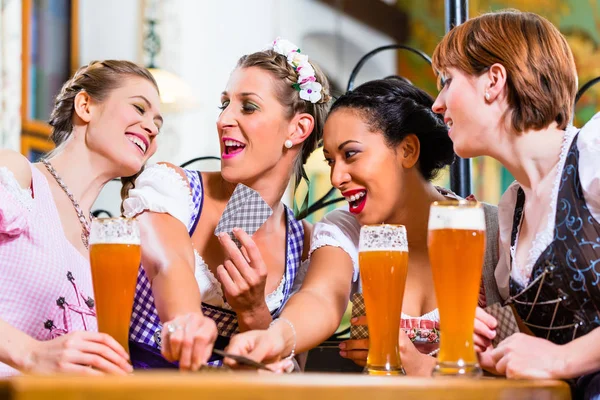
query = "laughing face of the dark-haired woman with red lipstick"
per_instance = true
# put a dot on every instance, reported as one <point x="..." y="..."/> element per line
<point x="367" y="172"/>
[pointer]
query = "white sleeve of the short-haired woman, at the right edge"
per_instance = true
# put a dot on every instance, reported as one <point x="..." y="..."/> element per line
<point x="588" y="144"/>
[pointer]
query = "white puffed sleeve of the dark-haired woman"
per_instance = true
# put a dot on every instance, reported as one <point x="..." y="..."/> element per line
<point x="340" y="229"/>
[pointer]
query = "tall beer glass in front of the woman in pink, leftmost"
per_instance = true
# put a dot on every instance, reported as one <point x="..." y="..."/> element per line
<point x="115" y="256"/>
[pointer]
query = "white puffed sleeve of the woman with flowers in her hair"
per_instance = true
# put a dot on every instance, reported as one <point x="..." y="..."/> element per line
<point x="161" y="189"/>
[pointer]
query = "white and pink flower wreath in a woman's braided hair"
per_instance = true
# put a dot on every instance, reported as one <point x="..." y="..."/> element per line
<point x="307" y="85"/>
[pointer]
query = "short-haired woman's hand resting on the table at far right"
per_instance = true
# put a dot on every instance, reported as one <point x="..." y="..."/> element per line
<point x="522" y="356"/>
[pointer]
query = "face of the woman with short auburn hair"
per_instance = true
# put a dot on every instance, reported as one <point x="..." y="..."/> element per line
<point x="462" y="103"/>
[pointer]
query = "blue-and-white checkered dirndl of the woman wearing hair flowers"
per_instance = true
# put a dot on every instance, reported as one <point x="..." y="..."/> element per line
<point x="145" y="329"/>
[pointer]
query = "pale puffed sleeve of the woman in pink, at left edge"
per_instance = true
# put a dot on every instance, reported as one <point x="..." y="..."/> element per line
<point x="15" y="205"/>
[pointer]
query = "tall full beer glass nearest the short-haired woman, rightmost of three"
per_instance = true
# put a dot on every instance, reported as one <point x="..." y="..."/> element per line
<point x="456" y="241"/>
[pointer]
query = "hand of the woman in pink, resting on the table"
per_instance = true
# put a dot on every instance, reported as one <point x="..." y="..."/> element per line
<point x="85" y="353"/>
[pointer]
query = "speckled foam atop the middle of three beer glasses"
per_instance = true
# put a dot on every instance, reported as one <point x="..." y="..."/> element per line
<point x="383" y="238"/>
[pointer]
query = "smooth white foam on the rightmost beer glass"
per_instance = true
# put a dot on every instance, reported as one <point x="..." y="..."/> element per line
<point x="471" y="218"/>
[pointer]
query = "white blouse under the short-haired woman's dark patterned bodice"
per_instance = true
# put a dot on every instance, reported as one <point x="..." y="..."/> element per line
<point x="588" y="144"/>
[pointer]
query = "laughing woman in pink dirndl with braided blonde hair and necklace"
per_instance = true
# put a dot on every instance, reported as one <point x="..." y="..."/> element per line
<point x="104" y="124"/>
